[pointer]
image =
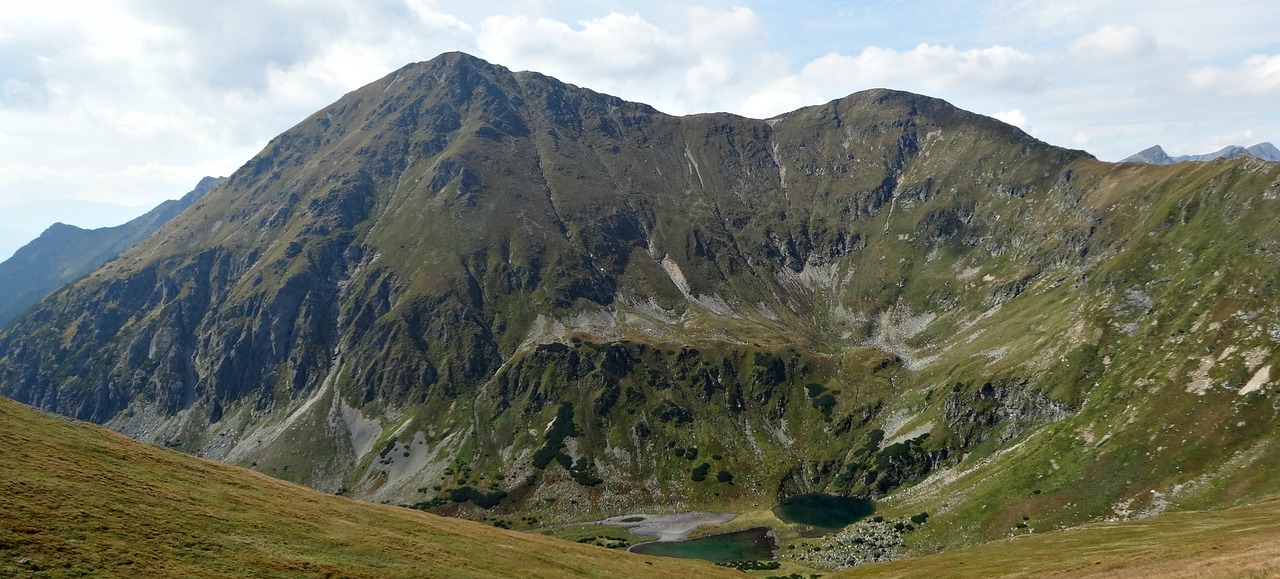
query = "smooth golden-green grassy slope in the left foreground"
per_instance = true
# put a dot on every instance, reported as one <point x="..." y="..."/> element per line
<point x="79" y="500"/>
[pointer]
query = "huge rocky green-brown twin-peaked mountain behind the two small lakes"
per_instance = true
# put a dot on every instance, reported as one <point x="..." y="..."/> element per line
<point x="492" y="294"/>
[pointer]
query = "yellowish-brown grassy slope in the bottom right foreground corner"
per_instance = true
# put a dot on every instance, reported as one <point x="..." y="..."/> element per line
<point x="1233" y="542"/>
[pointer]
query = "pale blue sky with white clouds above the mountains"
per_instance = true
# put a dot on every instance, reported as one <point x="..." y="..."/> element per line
<point x="108" y="108"/>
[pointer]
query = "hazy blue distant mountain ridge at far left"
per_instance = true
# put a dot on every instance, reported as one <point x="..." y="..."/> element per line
<point x="65" y="253"/>
